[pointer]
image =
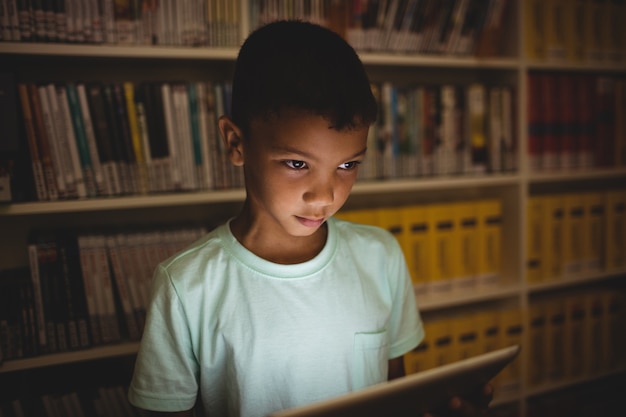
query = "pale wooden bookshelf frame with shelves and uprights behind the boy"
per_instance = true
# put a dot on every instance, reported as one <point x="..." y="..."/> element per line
<point x="117" y="63"/>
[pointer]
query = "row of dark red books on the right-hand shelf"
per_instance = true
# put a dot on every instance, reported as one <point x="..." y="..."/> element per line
<point x="575" y="121"/>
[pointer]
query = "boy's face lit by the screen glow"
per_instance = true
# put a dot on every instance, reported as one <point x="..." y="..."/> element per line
<point x="299" y="172"/>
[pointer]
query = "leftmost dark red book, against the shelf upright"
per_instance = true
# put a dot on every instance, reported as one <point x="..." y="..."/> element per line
<point x="535" y="122"/>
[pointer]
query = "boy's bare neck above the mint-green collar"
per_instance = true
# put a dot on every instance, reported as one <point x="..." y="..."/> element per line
<point x="286" y="250"/>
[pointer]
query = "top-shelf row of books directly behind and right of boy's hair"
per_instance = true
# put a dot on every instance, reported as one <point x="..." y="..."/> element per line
<point x="449" y="27"/>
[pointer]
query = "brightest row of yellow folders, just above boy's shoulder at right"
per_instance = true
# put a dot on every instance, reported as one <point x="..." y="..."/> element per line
<point x="452" y="246"/>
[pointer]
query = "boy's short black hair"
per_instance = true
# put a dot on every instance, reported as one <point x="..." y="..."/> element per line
<point x="293" y="64"/>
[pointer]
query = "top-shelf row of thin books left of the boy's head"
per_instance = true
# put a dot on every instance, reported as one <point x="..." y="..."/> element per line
<point x="212" y="23"/>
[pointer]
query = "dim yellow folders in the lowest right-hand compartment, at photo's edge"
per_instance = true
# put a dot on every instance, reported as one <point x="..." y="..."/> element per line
<point x="575" y="336"/>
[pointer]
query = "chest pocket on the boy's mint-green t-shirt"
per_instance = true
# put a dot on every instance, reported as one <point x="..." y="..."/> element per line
<point x="371" y="354"/>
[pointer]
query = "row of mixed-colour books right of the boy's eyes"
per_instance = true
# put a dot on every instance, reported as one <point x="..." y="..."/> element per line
<point x="429" y="130"/>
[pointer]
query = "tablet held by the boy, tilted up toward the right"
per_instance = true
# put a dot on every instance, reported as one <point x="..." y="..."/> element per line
<point x="416" y="393"/>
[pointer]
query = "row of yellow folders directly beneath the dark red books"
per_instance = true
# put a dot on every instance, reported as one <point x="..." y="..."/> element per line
<point x="569" y="234"/>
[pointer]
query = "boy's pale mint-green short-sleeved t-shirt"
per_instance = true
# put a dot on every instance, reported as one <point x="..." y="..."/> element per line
<point x="247" y="337"/>
